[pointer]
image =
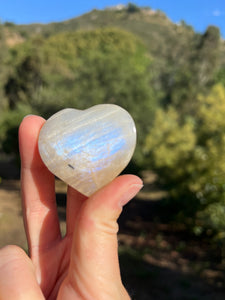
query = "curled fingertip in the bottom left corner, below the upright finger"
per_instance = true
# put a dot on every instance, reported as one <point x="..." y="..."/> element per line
<point x="17" y="276"/>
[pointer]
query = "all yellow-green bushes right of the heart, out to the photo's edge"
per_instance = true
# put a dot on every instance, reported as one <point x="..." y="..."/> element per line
<point x="189" y="155"/>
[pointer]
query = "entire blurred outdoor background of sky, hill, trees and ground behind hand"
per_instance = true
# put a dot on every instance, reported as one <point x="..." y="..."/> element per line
<point x="165" y="64"/>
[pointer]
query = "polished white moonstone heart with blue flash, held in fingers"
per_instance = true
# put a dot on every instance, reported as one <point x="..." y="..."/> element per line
<point x="88" y="148"/>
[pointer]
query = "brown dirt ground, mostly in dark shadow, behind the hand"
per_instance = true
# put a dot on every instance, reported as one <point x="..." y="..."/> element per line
<point x="157" y="261"/>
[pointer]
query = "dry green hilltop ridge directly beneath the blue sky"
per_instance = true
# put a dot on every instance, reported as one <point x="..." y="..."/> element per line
<point x="153" y="27"/>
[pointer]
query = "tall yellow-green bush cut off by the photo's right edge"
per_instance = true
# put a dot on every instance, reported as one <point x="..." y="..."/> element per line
<point x="211" y="133"/>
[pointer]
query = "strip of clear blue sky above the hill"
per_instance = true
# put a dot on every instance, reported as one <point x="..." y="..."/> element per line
<point x="197" y="13"/>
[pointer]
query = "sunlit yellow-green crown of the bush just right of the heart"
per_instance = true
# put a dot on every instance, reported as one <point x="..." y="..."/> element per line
<point x="169" y="142"/>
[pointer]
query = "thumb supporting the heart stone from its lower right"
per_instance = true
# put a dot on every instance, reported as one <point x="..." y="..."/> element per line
<point x="94" y="271"/>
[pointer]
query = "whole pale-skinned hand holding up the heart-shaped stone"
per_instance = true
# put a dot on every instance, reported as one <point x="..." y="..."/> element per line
<point x="84" y="263"/>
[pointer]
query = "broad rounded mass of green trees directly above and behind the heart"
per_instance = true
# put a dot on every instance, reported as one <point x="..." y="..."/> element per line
<point x="81" y="69"/>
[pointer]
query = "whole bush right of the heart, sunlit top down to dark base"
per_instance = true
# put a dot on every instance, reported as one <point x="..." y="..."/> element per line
<point x="169" y="149"/>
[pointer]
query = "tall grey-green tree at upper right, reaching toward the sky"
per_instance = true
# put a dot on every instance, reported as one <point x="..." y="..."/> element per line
<point x="191" y="67"/>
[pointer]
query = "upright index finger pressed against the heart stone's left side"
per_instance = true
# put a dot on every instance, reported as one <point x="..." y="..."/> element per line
<point x="38" y="192"/>
